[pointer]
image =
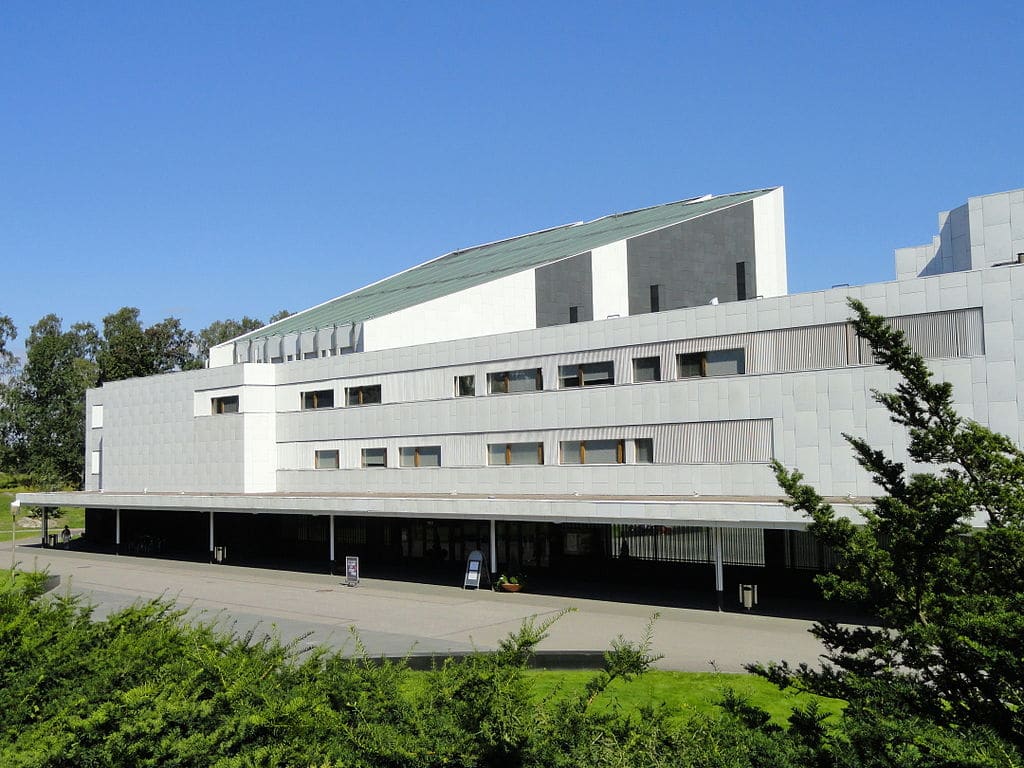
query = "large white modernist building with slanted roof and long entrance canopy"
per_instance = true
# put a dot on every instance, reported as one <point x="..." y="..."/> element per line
<point x="585" y="394"/>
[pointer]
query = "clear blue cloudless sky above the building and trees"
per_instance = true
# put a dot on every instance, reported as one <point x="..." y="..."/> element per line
<point x="214" y="160"/>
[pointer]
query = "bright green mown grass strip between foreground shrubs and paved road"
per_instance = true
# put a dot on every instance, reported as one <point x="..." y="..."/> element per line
<point x="680" y="692"/>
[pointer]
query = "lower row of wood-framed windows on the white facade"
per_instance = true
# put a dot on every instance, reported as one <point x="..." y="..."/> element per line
<point x="507" y="454"/>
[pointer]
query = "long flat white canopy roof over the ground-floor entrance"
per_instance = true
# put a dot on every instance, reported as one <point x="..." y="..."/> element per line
<point x="762" y="513"/>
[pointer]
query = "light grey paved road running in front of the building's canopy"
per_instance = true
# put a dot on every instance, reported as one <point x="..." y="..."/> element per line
<point x="394" y="618"/>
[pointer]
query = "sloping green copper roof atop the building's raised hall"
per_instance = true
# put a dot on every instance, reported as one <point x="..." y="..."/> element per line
<point x="475" y="267"/>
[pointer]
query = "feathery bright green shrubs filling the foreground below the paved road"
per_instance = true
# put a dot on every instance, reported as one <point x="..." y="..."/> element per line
<point x="145" y="689"/>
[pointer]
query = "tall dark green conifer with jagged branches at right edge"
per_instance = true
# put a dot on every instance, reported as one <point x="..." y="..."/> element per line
<point x="941" y="562"/>
